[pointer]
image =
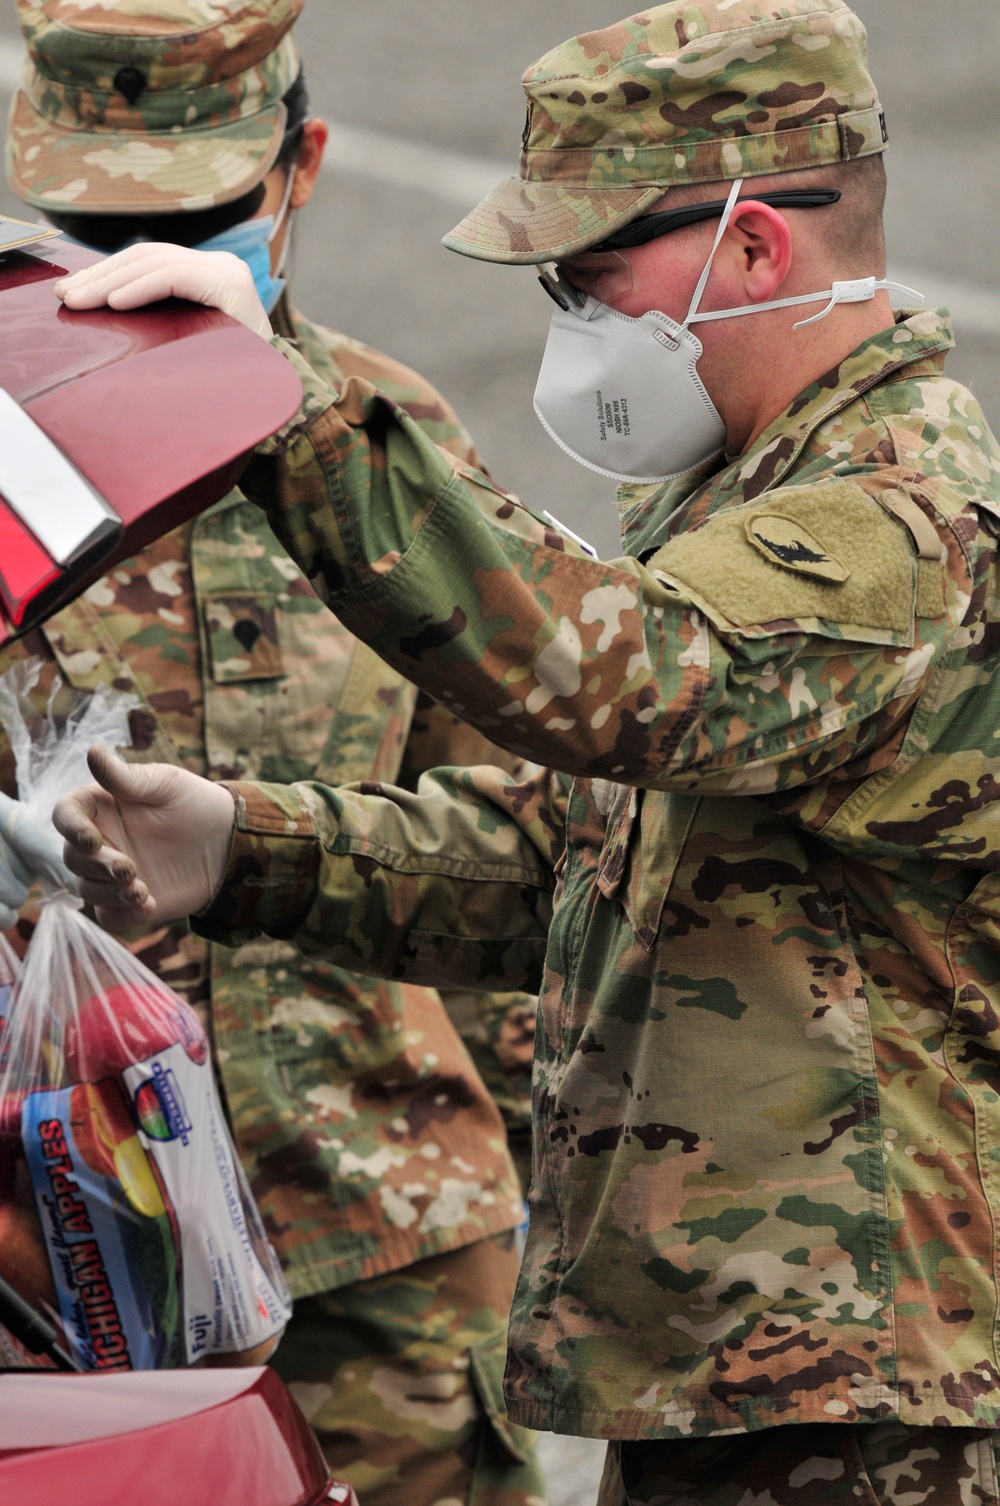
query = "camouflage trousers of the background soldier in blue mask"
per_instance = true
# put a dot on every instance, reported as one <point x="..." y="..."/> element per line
<point x="403" y="1382"/>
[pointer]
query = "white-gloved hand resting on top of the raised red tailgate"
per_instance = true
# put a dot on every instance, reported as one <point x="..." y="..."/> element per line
<point x="153" y="272"/>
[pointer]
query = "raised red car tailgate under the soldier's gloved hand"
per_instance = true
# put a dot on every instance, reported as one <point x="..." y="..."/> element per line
<point x="156" y="409"/>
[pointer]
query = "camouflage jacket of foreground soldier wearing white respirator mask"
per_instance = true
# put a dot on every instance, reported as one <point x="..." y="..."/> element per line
<point x="767" y="1081"/>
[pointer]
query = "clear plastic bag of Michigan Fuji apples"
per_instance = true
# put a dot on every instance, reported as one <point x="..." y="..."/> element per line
<point x="144" y="1237"/>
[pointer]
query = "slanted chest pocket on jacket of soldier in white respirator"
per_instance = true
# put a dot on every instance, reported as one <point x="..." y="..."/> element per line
<point x="647" y="834"/>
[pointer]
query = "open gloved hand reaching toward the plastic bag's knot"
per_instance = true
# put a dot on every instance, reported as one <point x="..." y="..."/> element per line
<point x="145" y="838"/>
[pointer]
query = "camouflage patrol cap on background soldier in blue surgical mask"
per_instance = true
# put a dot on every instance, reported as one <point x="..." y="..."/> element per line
<point x="150" y="106"/>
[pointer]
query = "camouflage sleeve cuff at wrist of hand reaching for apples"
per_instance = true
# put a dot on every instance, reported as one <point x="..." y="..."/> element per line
<point x="272" y="877"/>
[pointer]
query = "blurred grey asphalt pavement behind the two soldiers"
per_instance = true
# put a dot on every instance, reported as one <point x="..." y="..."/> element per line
<point x="427" y="109"/>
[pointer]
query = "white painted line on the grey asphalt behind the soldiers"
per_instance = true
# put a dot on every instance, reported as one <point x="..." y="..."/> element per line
<point x="462" y="181"/>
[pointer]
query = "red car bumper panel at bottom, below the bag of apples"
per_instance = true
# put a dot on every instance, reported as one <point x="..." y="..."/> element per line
<point x="159" y="1439"/>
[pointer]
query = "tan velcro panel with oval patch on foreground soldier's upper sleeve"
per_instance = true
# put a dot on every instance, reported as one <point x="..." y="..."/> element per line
<point x="822" y="553"/>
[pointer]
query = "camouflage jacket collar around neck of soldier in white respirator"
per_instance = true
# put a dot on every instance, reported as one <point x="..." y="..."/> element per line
<point x="653" y="514"/>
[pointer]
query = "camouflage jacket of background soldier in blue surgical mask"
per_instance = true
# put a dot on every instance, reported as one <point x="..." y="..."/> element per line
<point x="367" y="1132"/>
